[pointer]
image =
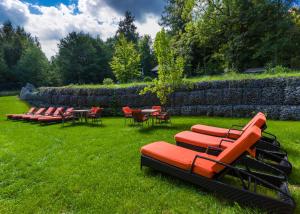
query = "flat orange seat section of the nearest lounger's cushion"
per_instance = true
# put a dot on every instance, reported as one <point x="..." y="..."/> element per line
<point x="179" y="157"/>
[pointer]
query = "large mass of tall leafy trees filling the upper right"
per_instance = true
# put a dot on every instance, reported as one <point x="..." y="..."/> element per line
<point x="218" y="35"/>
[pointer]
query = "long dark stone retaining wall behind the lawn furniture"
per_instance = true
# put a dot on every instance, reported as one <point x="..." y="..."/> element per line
<point x="279" y="98"/>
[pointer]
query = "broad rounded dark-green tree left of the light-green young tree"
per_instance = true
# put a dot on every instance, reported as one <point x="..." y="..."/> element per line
<point x="82" y="59"/>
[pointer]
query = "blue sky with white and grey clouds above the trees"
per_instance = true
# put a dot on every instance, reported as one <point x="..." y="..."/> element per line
<point x="52" y="20"/>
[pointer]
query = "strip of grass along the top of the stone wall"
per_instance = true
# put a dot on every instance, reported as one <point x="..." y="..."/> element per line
<point x="227" y="76"/>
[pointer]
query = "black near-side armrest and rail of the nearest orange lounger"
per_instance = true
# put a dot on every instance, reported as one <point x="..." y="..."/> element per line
<point x="239" y="173"/>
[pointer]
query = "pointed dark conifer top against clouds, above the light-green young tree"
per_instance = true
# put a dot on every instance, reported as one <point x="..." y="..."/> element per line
<point x="127" y="28"/>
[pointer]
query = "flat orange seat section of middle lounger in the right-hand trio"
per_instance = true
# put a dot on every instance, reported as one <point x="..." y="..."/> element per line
<point x="201" y="140"/>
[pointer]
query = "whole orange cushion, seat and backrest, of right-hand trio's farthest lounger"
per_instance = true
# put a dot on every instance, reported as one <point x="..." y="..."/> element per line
<point x="258" y="120"/>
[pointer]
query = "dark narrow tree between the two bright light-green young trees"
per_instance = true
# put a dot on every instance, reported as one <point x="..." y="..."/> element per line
<point x="147" y="55"/>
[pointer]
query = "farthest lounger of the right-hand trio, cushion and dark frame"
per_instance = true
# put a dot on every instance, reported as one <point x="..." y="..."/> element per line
<point x="268" y="140"/>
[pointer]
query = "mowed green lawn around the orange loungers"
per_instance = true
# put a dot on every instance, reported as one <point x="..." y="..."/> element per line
<point x="96" y="169"/>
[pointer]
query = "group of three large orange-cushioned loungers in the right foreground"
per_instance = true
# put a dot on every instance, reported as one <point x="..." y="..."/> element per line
<point x="244" y="164"/>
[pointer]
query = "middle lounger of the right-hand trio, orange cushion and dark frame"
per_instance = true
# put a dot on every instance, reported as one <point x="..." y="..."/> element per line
<point x="201" y="142"/>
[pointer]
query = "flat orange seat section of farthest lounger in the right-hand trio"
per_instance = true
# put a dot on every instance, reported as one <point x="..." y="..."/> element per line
<point x="215" y="131"/>
